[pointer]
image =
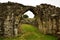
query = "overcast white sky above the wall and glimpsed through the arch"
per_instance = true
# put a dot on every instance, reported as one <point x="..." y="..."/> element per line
<point x="35" y="2"/>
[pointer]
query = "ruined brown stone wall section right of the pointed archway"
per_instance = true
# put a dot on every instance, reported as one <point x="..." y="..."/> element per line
<point x="48" y="20"/>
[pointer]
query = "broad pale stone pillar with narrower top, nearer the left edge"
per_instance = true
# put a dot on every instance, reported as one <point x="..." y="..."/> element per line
<point x="8" y="27"/>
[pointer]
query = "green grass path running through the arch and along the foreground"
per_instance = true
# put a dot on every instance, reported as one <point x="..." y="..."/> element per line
<point x="30" y="32"/>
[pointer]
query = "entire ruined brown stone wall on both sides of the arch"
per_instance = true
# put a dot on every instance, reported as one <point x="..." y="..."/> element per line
<point x="47" y="18"/>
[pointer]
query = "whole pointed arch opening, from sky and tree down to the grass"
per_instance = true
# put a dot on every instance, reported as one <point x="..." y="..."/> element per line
<point x="28" y="24"/>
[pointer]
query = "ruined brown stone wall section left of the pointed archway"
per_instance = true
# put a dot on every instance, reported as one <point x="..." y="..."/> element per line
<point x="10" y="14"/>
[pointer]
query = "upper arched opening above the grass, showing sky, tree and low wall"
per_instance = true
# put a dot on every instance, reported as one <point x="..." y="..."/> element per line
<point x="28" y="18"/>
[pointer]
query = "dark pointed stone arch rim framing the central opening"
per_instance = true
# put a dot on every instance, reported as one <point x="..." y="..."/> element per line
<point x="33" y="11"/>
